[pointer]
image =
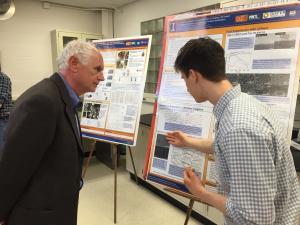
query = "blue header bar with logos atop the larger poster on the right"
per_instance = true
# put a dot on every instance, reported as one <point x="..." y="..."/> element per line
<point x="254" y="16"/>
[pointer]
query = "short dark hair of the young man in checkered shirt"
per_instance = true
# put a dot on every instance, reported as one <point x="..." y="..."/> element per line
<point x="203" y="55"/>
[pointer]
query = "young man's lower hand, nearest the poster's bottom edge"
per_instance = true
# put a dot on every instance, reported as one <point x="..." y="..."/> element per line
<point x="193" y="183"/>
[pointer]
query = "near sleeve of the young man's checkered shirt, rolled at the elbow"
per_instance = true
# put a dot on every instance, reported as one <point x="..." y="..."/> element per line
<point x="249" y="157"/>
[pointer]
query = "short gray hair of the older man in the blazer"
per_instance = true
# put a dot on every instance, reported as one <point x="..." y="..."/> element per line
<point x="81" y="49"/>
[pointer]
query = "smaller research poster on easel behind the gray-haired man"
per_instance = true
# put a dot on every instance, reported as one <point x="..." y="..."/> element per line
<point x="112" y="112"/>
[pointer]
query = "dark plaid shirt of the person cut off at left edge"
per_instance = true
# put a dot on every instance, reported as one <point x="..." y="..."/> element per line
<point x="5" y="96"/>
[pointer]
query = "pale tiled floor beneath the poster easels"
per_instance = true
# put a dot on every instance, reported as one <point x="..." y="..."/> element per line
<point x="136" y="205"/>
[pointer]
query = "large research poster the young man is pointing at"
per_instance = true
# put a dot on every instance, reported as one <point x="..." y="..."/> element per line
<point x="261" y="43"/>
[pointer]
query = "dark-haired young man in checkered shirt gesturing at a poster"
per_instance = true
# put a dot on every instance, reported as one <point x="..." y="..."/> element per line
<point x="256" y="174"/>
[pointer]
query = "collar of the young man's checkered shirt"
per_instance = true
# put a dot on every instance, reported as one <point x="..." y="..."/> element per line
<point x="225" y="99"/>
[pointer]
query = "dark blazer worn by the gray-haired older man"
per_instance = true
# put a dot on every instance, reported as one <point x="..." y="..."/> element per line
<point x="40" y="170"/>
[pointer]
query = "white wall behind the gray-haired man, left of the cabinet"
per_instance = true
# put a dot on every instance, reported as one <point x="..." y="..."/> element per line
<point x="25" y="43"/>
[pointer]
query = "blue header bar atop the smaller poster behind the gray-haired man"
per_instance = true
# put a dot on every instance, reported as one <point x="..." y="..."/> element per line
<point x="122" y="43"/>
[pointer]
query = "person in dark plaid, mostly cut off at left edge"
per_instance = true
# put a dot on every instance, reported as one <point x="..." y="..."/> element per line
<point x="5" y="104"/>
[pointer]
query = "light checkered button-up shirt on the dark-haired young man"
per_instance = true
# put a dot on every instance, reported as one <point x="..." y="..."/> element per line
<point x="254" y="163"/>
